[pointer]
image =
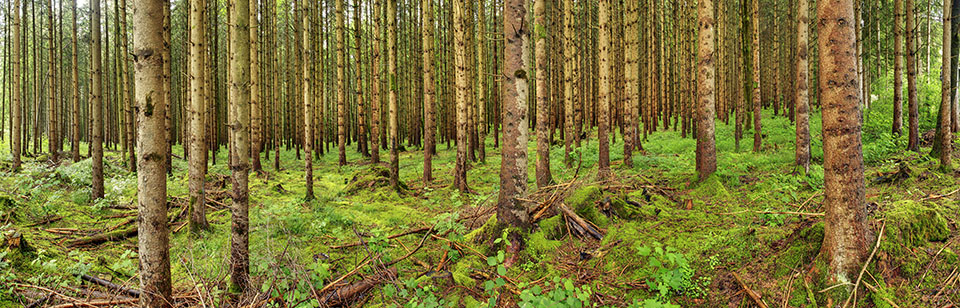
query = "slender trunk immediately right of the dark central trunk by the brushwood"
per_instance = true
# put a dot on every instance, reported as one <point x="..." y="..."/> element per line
<point x="543" y="100"/>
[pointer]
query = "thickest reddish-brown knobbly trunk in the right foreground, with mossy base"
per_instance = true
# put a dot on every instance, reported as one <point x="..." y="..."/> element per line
<point x="845" y="236"/>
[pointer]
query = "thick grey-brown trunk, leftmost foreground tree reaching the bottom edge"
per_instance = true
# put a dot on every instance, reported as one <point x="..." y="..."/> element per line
<point x="153" y="243"/>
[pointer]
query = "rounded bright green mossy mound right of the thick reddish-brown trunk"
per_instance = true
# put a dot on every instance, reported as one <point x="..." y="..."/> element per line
<point x="914" y="224"/>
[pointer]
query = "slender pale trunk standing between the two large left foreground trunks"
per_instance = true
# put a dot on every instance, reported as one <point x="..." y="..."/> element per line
<point x="197" y="114"/>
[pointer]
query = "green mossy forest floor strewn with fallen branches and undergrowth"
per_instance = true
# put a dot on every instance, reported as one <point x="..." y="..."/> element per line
<point x="668" y="240"/>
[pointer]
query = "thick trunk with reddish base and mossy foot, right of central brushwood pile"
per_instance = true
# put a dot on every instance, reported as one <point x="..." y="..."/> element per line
<point x="706" y="83"/>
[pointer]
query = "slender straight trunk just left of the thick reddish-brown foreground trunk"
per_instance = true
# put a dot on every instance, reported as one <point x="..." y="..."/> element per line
<point x="802" y="97"/>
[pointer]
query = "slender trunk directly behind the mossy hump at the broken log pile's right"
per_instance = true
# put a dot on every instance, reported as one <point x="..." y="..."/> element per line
<point x="603" y="110"/>
